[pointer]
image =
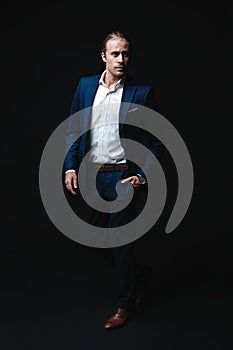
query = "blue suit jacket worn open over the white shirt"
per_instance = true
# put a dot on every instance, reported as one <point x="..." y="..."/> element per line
<point x="133" y="92"/>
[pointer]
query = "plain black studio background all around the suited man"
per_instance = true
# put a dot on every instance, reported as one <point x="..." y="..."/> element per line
<point x="57" y="293"/>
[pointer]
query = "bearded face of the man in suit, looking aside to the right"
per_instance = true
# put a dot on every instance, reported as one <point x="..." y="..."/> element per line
<point x="116" y="57"/>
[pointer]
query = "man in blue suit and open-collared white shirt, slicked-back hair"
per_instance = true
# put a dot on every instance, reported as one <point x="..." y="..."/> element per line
<point x="109" y="159"/>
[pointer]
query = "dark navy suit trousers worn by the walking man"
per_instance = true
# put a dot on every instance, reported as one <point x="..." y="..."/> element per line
<point x="121" y="257"/>
